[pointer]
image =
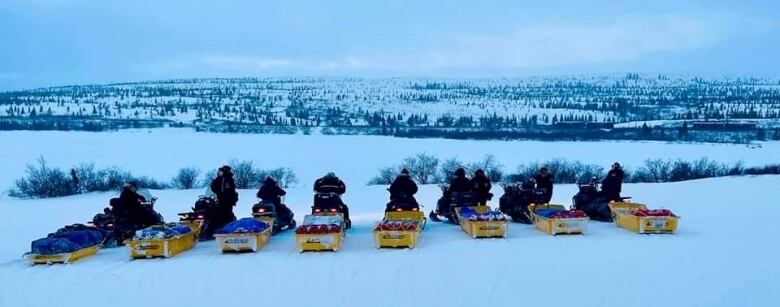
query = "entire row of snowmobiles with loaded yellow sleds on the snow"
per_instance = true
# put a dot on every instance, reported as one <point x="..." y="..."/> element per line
<point x="324" y="229"/>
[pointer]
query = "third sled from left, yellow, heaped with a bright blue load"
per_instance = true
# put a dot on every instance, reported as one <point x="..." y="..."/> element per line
<point x="244" y="235"/>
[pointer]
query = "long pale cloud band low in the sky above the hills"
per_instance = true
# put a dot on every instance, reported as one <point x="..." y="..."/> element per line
<point x="539" y="45"/>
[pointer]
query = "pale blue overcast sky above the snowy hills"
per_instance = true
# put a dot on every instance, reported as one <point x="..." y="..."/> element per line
<point x="63" y="42"/>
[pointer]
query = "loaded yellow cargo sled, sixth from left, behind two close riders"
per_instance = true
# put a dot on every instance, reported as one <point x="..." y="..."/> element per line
<point x="481" y="222"/>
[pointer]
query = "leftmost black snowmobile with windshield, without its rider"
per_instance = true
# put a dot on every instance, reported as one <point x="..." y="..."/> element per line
<point x="119" y="228"/>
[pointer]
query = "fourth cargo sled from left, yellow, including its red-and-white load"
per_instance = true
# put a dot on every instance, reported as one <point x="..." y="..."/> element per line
<point x="322" y="231"/>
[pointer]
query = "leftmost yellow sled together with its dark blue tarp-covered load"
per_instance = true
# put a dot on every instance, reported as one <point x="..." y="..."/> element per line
<point x="67" y="245"/>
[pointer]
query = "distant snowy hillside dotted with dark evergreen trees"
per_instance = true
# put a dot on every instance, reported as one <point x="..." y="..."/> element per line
<point x="630" y="106"/>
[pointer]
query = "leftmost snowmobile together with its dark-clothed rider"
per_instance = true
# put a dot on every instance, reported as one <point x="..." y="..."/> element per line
<point x="131" y="211"/>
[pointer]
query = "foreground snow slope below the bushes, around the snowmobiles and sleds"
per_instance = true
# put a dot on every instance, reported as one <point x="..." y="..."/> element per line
<point x="724" y="255"/>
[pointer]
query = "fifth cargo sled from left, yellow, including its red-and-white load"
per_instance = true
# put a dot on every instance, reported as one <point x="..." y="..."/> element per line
<point x="400" y="229"/>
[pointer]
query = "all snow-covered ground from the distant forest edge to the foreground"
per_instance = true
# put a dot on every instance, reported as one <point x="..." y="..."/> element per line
<point x="723" y="255"/>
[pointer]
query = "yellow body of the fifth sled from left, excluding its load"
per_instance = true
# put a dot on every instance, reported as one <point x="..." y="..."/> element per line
<point x="404" y="238"/>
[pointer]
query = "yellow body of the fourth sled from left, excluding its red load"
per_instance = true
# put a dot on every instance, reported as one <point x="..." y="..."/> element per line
<point x="321" y="242"/>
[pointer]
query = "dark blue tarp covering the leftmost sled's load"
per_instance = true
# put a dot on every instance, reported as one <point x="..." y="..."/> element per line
<point x="66" y="242"/>
